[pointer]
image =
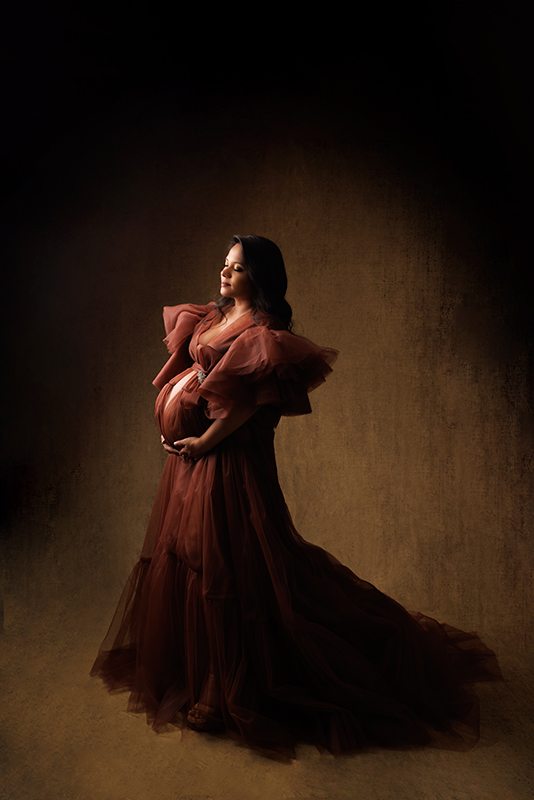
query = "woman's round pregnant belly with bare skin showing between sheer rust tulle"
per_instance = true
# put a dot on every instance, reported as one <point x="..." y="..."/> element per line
<point x="178" y="412"/>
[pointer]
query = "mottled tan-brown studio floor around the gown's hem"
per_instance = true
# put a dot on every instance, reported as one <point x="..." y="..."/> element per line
<point x="66" y="737"/>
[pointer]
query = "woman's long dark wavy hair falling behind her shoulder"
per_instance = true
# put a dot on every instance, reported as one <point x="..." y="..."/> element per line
<point x="266" y="269"/>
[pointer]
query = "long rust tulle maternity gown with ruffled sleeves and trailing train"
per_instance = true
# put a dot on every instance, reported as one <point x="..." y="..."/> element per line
<point x="302" y="649"/>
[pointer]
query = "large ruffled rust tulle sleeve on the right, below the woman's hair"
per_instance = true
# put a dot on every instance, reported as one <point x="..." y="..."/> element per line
<point x="266" y="367"/>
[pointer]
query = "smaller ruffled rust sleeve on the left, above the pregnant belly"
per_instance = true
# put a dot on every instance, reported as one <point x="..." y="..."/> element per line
<point x="180" y="322"/>
